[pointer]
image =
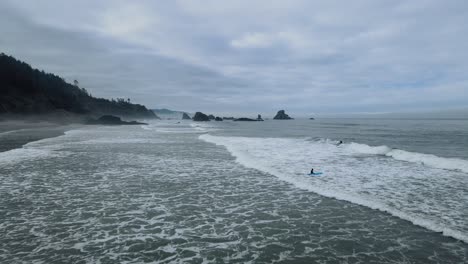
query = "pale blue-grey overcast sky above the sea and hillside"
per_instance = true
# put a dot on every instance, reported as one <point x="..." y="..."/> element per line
<point x="251" y="56"/>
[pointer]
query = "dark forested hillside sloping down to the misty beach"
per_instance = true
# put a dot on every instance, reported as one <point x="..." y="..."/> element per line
<point x="24" y="90"/>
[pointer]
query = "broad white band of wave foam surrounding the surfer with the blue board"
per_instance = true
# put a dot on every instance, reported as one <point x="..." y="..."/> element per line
<point x="382" y="179"/>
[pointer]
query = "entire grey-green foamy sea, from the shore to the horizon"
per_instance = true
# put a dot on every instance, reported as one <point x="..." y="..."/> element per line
<point x="396" y="191"/>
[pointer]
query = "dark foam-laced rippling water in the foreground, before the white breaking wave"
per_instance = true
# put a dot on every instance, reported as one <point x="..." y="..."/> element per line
<point x="187" y="201"/>
